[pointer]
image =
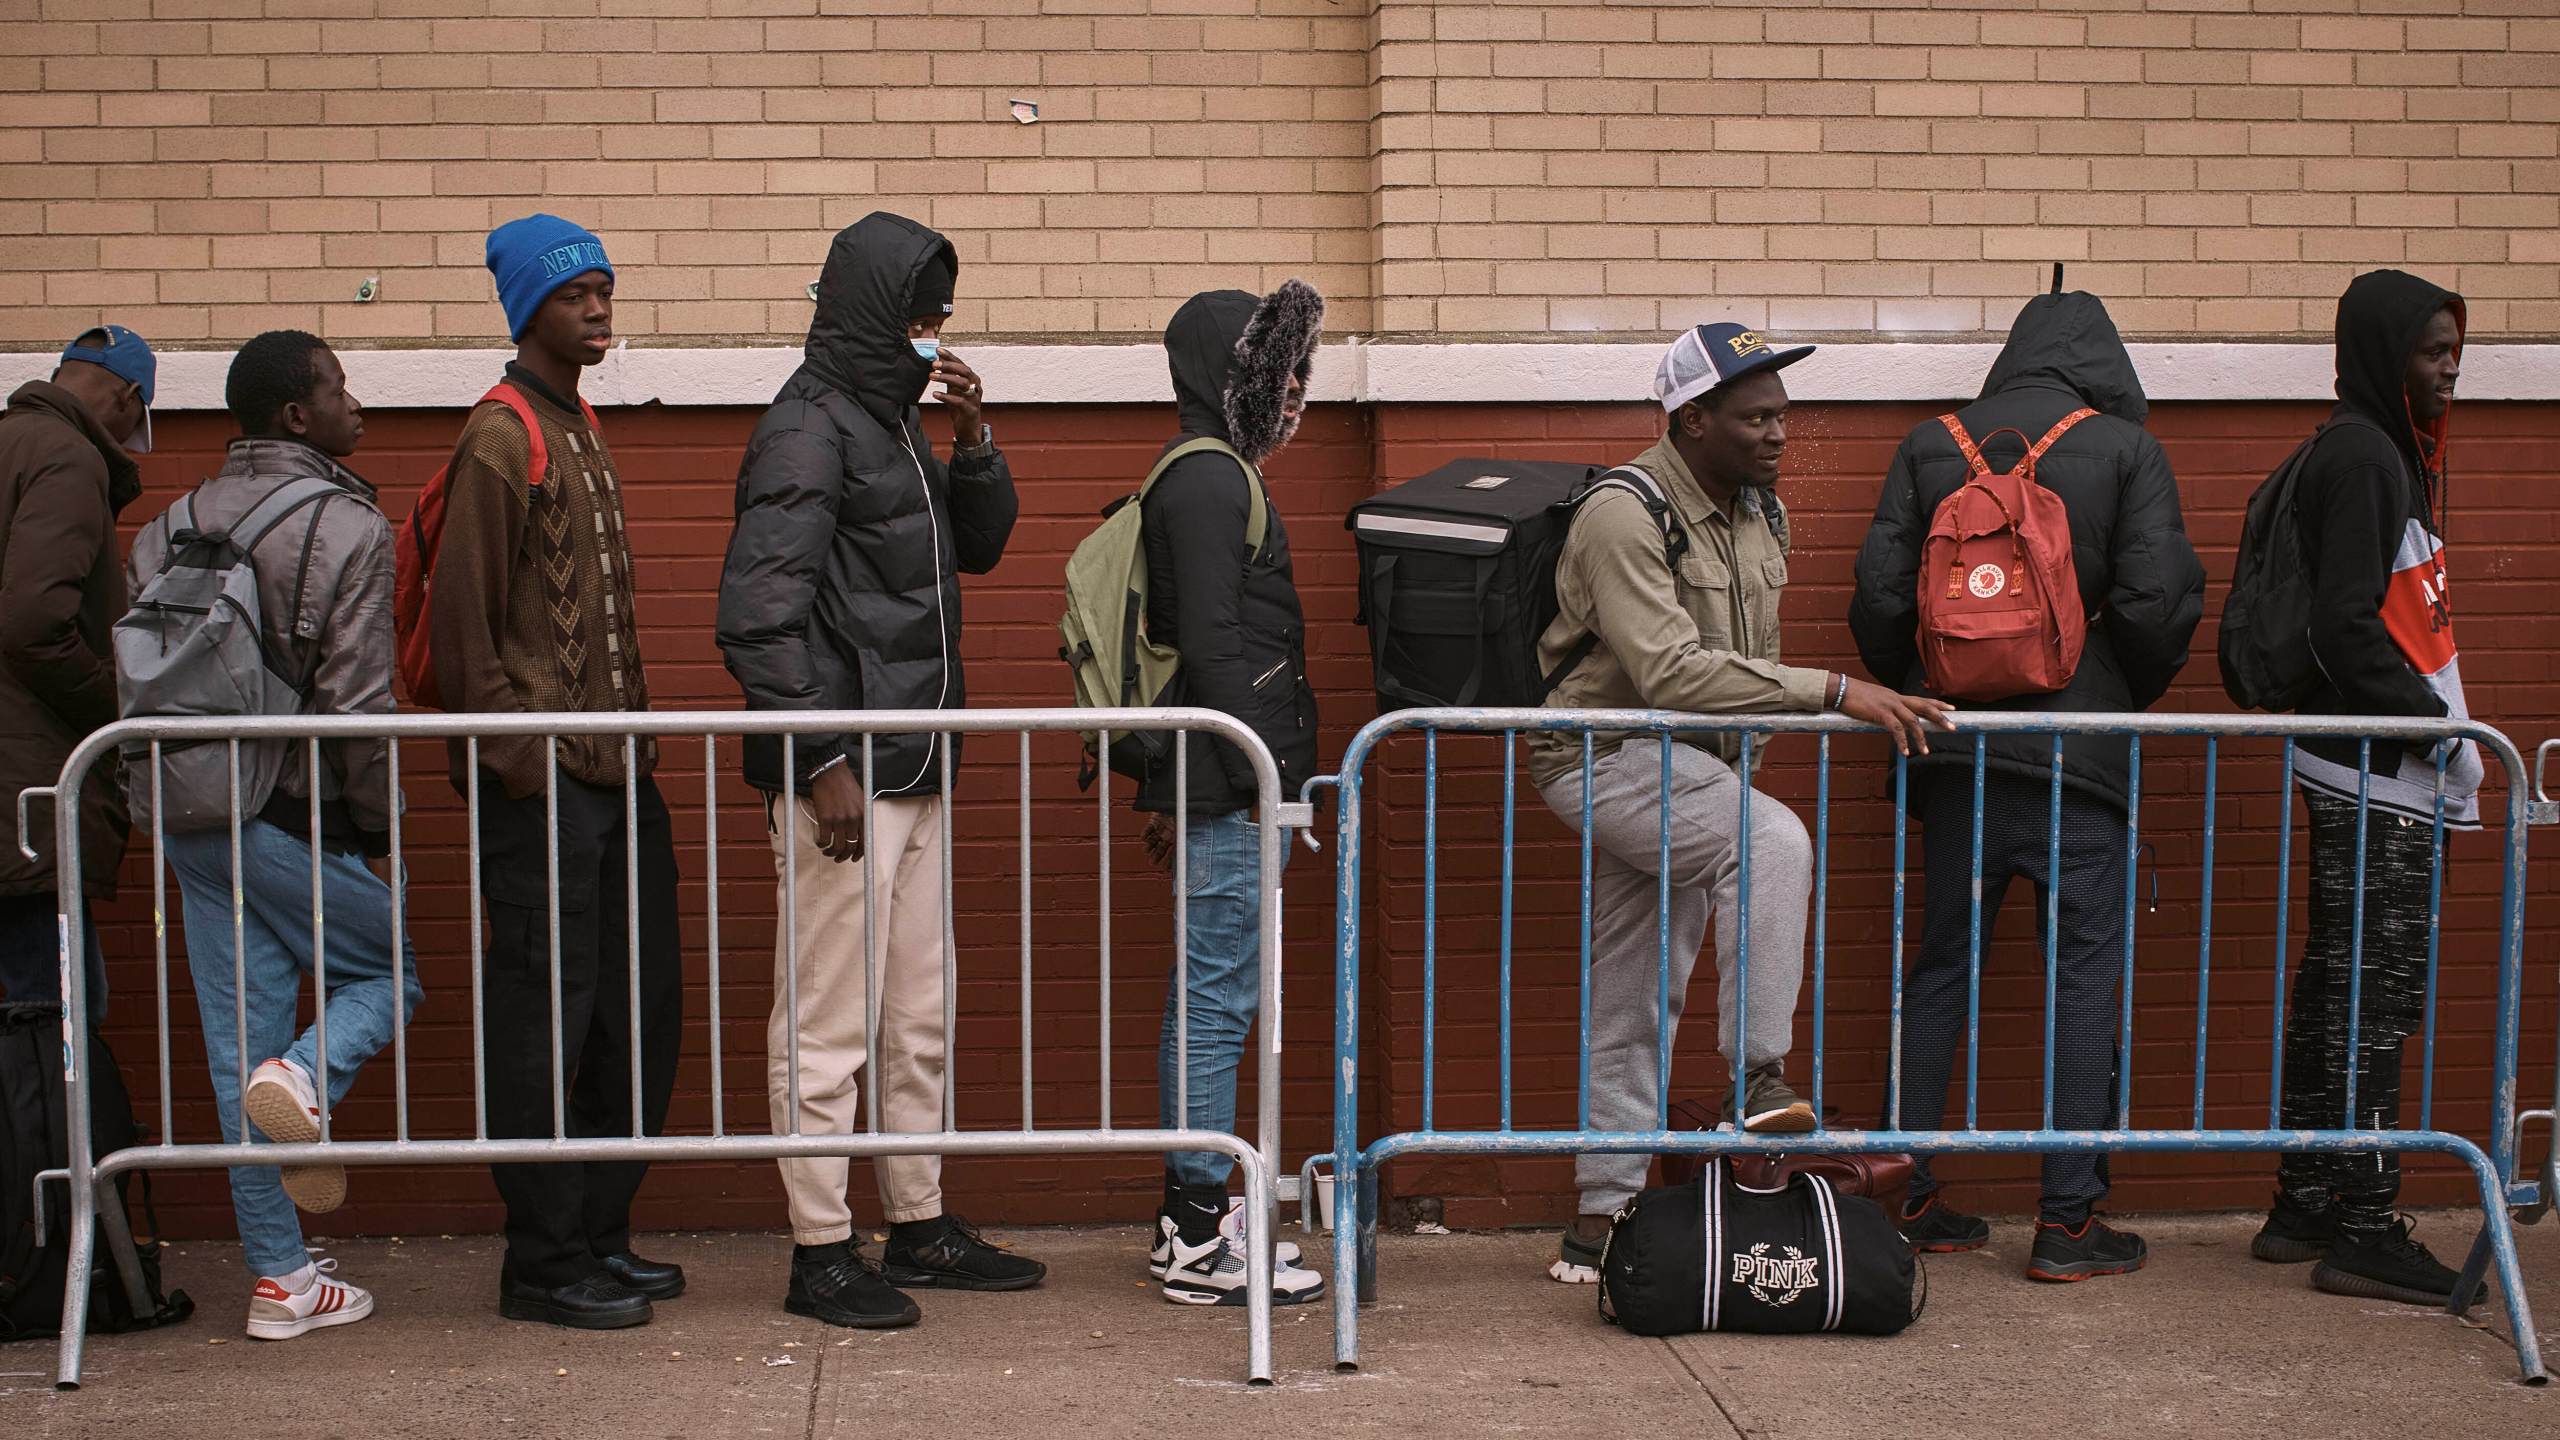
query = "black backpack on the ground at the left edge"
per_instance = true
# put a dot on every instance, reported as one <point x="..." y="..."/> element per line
<point x="35" y="1139"/>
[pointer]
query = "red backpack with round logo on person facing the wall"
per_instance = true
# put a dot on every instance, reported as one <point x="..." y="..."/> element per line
<point x="2001" y="606"/>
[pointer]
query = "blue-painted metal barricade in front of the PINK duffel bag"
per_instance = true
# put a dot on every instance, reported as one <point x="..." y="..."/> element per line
<point x="1358" y="1165"/>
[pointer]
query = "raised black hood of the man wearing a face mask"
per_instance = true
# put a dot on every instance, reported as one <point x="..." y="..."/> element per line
<point x="864" y="301"/>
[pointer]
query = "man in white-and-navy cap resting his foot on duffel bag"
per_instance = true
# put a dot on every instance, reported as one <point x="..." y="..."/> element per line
<point x="1668" y="598"/>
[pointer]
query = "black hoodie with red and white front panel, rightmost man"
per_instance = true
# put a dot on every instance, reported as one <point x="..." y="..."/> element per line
<point x="2369" y="501"/>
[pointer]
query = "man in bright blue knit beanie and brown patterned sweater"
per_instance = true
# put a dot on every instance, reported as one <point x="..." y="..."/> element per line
<point x="531" y="611"/>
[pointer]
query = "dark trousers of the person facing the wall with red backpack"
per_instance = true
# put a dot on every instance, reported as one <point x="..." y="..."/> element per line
<point x="2090" y="962"/>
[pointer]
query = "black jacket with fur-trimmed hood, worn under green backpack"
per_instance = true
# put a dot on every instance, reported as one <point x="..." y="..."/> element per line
<point x="1233" y="616"/>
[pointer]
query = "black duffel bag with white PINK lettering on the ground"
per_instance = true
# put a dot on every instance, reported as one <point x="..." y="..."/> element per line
<point x="1716" y="1254"/>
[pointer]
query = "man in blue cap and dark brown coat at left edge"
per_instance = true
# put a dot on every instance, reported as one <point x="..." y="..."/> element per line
<point x="65" y="470"/>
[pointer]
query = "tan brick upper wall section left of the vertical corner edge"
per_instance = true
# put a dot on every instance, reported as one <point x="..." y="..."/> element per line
<point x="216" y="168"/>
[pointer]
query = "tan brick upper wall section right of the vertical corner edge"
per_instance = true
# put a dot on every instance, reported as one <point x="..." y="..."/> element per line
<point x="2216" y="168"/>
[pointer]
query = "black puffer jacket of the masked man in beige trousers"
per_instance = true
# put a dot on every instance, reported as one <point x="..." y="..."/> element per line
<point x="841" y="588"/>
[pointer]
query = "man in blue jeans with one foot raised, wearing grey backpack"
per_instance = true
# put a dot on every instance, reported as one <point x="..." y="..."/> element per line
<point x="324" y="560"/>
